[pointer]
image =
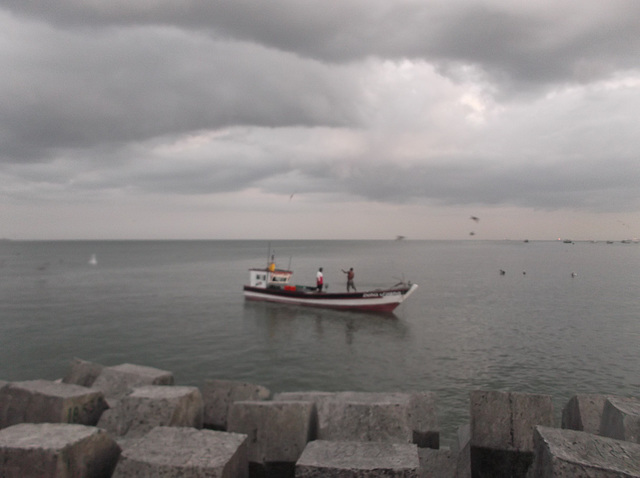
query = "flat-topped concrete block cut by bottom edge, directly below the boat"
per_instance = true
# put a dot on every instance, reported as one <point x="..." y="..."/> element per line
<point x="335" y="459"/>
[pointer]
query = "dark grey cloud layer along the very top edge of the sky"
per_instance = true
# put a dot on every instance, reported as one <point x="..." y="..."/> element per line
<point x="528" y="44"/>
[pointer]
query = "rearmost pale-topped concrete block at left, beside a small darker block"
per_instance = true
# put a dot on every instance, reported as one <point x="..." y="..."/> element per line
<point x="115" y="382"/>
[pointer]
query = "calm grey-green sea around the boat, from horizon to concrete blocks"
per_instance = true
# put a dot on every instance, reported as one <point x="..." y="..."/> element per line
<point x="178" y="306"/>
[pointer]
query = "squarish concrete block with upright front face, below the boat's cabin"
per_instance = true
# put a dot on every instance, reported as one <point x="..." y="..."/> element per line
<point x="277" y="431"/>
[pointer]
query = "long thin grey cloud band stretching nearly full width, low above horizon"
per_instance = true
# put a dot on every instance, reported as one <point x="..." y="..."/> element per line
<point x="596" y="184"/>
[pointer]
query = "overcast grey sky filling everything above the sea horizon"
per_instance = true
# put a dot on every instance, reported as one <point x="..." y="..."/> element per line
<point x="308" y="119"/>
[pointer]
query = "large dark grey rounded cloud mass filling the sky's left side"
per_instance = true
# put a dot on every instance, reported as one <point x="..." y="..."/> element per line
<point x="81" y="90"/>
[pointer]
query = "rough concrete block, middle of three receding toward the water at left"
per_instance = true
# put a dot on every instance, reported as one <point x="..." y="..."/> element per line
<point x="148" y="407"/>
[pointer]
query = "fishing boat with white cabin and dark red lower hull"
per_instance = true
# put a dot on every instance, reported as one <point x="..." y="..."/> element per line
<point x="273" y="285"/>
